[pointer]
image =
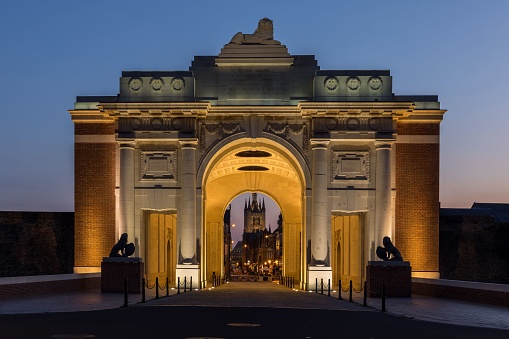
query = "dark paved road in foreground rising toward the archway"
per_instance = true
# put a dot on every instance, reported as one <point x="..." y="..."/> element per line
<point x="235" y="310"/>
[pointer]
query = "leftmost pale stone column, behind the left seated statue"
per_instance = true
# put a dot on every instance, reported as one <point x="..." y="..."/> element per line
<point x="126" y="189"/>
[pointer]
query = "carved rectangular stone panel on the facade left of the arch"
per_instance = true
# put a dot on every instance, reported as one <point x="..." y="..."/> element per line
<point x="158" y="165"/>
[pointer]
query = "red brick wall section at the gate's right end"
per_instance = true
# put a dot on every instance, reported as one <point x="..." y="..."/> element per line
<point x="417" y="198"/>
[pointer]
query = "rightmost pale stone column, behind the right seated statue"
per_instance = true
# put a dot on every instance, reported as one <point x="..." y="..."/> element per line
<point x="383" y="220"/>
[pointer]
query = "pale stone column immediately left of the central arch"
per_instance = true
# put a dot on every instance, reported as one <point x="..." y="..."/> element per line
<point x="188" y="203"/>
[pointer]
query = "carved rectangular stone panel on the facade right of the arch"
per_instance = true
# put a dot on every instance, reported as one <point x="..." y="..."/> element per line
<point x="350" y="166"/>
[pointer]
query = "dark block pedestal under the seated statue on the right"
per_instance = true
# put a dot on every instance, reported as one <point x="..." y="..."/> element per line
<point x="397" y="276"/>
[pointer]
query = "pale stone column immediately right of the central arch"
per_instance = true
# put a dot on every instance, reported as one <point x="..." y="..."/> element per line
<point x="319" y="212"/>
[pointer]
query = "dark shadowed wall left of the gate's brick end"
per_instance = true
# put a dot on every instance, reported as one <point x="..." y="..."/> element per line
<point x="36" y="243"/>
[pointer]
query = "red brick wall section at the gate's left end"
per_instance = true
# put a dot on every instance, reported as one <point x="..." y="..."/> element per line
<point x="94" y="196"/>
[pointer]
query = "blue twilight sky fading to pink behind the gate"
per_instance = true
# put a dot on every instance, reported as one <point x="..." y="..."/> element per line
<point x="53" y="51"/>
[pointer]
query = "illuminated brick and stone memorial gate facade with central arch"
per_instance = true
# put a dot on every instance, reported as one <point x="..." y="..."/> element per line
<point x="347" y="161"/>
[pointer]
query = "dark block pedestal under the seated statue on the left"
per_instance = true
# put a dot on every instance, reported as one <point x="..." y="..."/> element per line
<point x="114" y="271"/>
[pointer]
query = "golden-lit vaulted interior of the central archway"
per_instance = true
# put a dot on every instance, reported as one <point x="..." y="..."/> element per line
<point x="263" y="167"/>
